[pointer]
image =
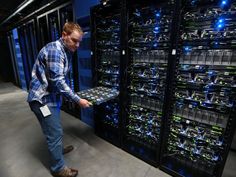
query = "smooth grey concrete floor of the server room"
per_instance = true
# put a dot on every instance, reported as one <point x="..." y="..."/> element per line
<point x="23" y="151"/>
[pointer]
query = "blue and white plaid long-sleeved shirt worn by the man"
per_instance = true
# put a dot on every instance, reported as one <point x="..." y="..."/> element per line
<point x="49" y="75"/>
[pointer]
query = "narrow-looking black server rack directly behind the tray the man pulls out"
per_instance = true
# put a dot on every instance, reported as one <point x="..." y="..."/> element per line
<point x="107" y="65"/>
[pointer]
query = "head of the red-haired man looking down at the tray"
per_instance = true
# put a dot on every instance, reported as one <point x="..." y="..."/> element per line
<point x="72" y="35"/>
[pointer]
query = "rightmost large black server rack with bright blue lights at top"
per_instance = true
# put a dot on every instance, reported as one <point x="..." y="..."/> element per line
<point x="200" y="126"/>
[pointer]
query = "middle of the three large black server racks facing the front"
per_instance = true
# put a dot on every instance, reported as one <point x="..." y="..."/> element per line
<point x="149" y="25"/>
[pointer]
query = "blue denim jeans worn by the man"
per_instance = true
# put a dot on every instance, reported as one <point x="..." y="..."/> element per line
<point x="53" y="132"/>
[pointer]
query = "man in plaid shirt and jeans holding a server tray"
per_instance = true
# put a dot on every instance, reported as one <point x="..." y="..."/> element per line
<point x="46" y="87"/>
